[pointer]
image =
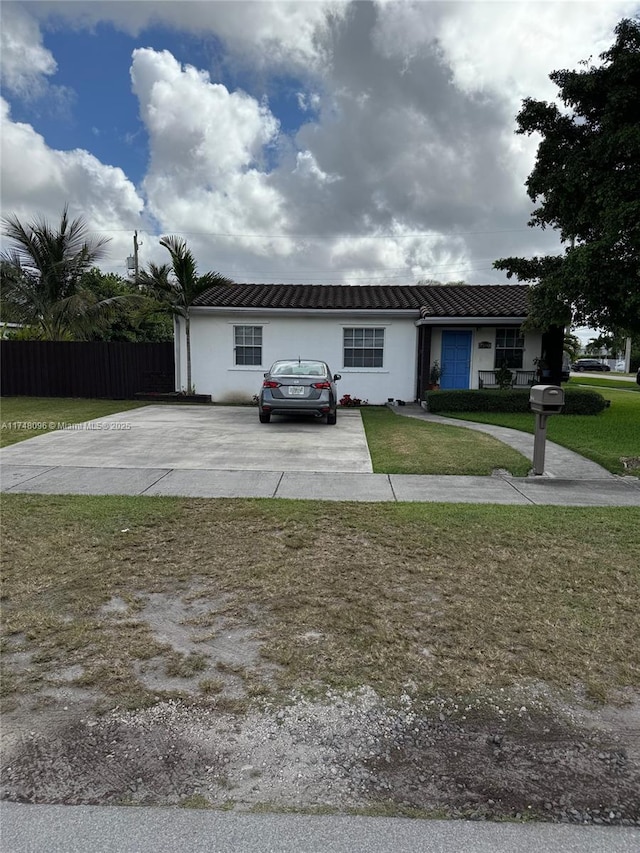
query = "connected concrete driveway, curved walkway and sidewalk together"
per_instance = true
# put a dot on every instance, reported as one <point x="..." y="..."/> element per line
<point x="45" y="465"/>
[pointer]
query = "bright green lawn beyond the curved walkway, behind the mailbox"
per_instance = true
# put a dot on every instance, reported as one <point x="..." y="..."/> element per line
<point x="607" y="438"/>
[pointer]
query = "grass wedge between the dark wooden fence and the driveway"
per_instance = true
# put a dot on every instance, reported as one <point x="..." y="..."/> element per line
<point x="26" y="417"/>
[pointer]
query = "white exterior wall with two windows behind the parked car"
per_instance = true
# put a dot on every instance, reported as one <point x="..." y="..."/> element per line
<point x="214" y="371"/>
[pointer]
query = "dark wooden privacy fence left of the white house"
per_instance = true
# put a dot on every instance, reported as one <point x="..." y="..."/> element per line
<point x="106" y="369"/>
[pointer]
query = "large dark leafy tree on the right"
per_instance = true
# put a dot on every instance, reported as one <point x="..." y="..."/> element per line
<point x="586" y="181"/>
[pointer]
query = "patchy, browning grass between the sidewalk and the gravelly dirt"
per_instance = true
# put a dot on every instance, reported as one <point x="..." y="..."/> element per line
<point x="455" y="598"/>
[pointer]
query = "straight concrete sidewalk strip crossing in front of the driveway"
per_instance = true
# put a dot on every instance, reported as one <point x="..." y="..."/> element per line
<point x="315" y="485"/>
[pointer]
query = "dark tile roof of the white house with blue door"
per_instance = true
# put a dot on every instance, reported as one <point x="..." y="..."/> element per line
<point x="429" y="300"/>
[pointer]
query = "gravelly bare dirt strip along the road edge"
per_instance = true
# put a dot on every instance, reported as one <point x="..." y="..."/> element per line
<point x="516" y="754"/>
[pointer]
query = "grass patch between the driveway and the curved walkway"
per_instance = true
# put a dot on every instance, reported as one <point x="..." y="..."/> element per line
<point x="404" y="445"/>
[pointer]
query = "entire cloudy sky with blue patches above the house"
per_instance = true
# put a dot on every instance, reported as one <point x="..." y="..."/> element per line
<point x="325" y="142"/>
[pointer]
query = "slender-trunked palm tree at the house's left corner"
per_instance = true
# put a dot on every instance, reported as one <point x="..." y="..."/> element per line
<point x="176" y="285"/>
